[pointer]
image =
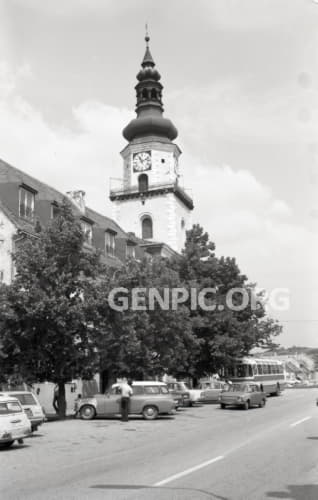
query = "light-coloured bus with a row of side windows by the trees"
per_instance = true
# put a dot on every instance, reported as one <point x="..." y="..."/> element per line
<point x="268" y="373"/>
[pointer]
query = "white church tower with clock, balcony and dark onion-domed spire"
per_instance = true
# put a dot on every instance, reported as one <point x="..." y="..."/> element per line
<point x="150" y="200"/>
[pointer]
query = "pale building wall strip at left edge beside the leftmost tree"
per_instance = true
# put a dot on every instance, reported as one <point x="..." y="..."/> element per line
<point x="7" y="231"/>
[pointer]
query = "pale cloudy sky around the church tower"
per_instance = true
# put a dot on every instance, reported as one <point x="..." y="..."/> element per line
<point x="241" y="85"/>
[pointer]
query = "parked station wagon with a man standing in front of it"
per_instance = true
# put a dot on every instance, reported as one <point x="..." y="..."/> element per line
<point x="149" y="399"/>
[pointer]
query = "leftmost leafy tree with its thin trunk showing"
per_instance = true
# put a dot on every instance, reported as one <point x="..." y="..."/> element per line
<point x="45" y="332"/>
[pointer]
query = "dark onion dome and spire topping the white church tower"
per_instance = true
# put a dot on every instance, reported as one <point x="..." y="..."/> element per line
<point x="149" y="106"/>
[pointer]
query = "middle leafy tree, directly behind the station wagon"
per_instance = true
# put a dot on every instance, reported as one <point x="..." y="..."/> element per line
<point x="146" y="341"/>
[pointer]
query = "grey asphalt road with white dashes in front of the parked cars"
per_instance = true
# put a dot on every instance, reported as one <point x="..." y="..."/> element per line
<point x="201" y="453"/>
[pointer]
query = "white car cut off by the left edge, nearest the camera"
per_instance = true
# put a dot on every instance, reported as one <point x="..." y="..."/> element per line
<point x="14" y="423"/>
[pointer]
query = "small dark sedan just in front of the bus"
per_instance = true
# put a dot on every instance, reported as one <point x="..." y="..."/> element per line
<point x="245" y="395"/>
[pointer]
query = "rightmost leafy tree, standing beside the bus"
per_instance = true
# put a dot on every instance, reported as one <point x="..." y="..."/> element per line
<point x="224" y="332"/>
